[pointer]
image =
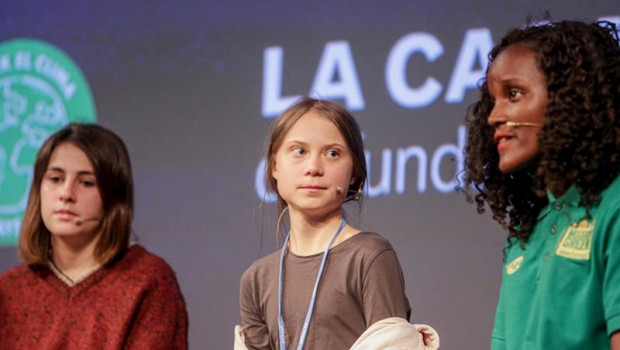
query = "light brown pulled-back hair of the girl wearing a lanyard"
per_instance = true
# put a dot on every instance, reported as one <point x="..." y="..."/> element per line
<point x="346" y="125"/>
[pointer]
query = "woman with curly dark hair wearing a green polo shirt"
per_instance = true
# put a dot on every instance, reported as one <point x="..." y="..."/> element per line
<point x="543" y="153"/>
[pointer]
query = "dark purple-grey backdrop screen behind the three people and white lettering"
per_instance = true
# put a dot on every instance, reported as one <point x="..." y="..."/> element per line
<point x="181" y="82"/>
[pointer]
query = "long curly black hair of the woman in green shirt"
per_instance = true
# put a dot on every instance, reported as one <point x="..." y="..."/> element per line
<point x="579" y="143"/>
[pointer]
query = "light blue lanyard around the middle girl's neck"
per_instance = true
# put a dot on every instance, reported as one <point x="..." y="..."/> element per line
<point x="304" y="330"/>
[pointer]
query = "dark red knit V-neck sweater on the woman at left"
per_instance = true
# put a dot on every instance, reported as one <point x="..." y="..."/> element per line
<point x="134" y="303"/>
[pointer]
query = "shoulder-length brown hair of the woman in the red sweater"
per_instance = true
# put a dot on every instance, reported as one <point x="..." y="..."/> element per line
<point x="110" y="160"/>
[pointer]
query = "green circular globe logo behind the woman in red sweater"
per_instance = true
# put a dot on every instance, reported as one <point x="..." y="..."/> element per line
<point x="41" y="90"/>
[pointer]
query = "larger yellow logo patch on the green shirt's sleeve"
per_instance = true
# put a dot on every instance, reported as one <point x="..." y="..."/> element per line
<point x="576" y="242"/>
